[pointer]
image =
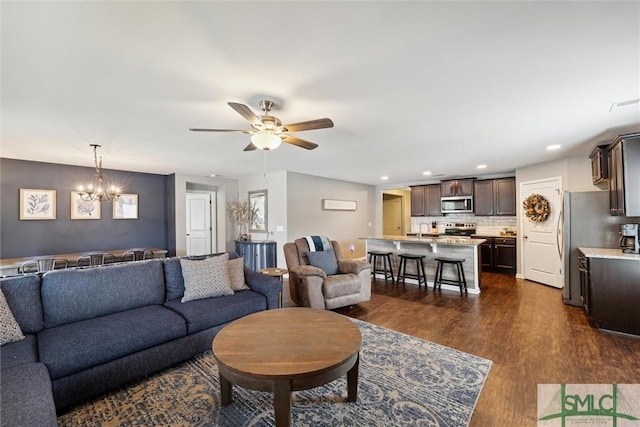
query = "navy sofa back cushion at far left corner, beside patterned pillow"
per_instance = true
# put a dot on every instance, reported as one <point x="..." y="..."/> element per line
<point x="23" y="296"/>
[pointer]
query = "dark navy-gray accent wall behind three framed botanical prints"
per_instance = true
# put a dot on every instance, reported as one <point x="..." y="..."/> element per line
<point x="64" y="235"/>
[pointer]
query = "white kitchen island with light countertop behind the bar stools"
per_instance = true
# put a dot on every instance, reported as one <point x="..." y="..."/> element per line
<point x="433" y="247"/>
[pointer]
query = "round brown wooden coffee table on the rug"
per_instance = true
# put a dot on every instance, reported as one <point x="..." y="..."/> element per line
<point x="287" y="349"/>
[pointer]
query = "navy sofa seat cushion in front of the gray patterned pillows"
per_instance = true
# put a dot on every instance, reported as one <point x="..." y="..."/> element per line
<point x="206" y="313"/>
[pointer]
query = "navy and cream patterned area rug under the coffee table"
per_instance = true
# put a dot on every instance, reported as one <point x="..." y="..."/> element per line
<point x="403" y="381"/>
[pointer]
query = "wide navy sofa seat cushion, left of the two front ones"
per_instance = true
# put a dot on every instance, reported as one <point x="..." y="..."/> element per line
<point x="73" y="347"/>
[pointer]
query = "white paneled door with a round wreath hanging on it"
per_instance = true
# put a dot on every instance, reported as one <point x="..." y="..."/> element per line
<point x="541" y="252"/>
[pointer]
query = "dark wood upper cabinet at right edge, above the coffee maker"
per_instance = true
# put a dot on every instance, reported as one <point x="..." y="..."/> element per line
<point x="624" y="175"/>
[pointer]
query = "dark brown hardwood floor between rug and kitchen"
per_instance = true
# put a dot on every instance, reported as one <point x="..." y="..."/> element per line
<point x="531" y="336"/>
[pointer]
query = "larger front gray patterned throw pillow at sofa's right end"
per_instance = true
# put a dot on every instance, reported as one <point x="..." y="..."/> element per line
<point x="205" y="278"/>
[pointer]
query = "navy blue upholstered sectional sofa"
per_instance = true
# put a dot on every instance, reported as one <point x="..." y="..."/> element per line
<point x="91" y="330"/>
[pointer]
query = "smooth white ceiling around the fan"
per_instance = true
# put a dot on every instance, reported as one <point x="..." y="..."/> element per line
<point x="411" y="86"/>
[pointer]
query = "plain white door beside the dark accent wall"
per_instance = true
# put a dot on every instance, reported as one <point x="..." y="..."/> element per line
<point x="199" y="231"/>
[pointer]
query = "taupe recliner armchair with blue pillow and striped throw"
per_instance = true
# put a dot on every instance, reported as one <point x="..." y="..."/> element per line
<point x="311" y="286"/>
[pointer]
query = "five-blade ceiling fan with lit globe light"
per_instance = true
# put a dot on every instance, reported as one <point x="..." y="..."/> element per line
<point x="267" y="132"/>
